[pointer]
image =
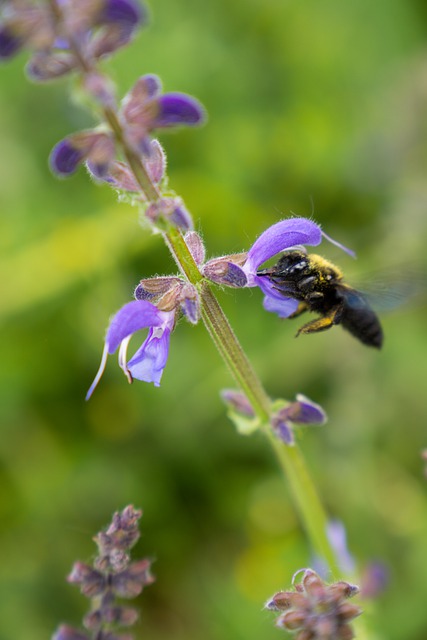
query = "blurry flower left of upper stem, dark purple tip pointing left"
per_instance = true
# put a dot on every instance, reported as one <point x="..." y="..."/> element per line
<point x="96" y="147"/>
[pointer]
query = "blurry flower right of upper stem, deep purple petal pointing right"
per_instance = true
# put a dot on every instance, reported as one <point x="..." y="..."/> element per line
<point x="145" y="109"/>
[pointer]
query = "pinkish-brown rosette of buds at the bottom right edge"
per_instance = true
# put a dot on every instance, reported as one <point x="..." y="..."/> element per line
<point x="315" y="610"/>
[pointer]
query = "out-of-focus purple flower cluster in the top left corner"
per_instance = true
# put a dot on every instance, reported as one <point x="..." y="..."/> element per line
<point x="64" y="34"/>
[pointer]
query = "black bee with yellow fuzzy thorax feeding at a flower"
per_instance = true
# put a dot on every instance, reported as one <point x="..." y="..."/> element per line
<point x="318" y="286"/>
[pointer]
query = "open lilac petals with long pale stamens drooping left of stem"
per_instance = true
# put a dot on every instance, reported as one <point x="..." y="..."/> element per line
<point x="149" y="360"/>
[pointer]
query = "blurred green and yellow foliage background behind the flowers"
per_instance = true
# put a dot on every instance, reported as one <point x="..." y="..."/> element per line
<point x="315" y="107"/>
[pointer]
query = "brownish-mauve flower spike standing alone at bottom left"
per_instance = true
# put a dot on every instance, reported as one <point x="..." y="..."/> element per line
<point x="112" y="576"/>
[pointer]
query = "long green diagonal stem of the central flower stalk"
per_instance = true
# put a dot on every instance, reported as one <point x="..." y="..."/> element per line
<point x="291" y="461"/>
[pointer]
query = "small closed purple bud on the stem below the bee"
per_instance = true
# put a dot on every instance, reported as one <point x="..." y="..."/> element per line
<point x="302" y="411"/>
